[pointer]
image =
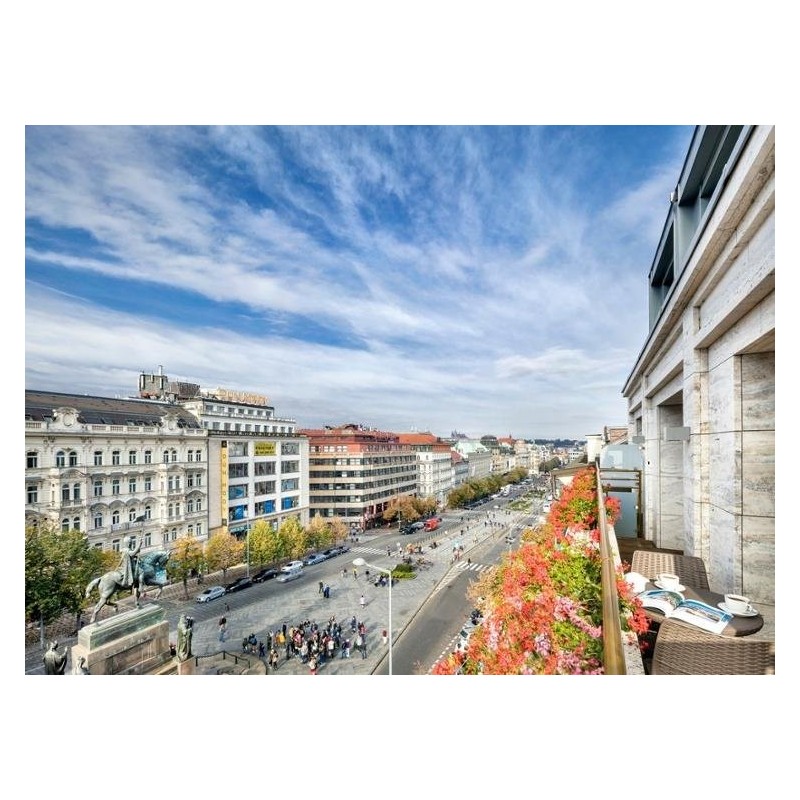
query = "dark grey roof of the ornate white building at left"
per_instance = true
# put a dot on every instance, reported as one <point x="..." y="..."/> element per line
<point x="39" y="406"/>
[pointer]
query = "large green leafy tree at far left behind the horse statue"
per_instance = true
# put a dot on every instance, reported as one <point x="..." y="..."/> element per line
<point x="58" y="567"/>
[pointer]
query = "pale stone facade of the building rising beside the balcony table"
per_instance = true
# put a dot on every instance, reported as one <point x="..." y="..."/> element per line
<point x="701" y="395"/>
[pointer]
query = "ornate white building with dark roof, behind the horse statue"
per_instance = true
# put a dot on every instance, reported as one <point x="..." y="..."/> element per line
<point x="111" y="467"/>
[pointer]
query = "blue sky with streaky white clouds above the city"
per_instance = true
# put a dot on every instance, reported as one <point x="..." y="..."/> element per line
<point x="488" y="279"/>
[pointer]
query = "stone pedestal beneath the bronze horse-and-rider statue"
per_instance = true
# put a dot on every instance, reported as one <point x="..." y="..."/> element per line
<point x="134" y="642"/>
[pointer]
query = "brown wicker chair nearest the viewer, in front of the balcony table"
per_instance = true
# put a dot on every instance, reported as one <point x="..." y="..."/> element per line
<point x="683" y="649"/>
